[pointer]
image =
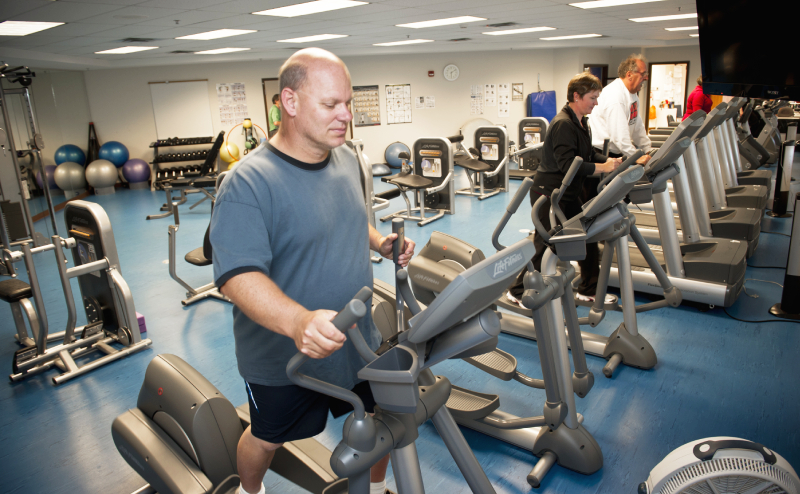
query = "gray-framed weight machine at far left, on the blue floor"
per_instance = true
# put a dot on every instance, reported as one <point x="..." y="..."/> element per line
<point x="107" y="299"/>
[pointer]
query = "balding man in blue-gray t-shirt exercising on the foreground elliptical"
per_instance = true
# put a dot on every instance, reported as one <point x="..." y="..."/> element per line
<point x="291" y="246"/>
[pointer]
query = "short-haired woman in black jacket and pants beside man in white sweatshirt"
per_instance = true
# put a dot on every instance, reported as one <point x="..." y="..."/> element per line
<point x="567" y="137"/>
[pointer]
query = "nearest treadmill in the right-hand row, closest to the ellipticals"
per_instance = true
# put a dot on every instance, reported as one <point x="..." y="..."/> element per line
<point x="705" y="271"/>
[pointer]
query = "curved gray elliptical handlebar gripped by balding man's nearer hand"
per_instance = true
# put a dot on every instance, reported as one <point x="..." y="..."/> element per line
<point x="352" y="312"/>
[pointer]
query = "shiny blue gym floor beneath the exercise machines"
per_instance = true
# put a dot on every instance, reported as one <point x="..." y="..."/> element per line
<point x="715" y="375"/>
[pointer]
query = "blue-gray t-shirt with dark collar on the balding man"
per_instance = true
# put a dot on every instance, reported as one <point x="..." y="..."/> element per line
<point x="305" y="226"/>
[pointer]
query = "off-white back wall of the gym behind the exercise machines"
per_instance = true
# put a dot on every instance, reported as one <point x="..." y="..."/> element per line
<point x="122" y="110"/>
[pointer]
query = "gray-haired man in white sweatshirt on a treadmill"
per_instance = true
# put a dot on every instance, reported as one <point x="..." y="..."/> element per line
<point x="617" y="116"/>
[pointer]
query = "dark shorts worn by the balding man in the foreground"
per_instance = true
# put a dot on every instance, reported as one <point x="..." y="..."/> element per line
<point x="286" y="413"/>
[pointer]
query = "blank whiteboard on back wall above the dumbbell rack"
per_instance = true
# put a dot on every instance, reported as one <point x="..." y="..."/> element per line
<point x="181" y="109"/>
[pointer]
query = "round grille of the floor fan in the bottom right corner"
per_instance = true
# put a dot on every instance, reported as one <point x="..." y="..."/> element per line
<point x="730" y="475"/>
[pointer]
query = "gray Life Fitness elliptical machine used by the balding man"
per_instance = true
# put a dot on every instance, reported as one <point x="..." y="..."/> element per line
<point x="182" y="436"/>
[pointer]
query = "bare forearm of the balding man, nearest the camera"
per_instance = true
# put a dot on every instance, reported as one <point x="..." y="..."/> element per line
<point x="262" y="301"/>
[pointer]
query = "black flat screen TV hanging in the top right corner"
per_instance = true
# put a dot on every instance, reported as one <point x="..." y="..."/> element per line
<point x="742" y="57"/>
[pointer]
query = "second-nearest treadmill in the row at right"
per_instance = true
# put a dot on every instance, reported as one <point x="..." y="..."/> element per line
<point x="742" y="224"/>
